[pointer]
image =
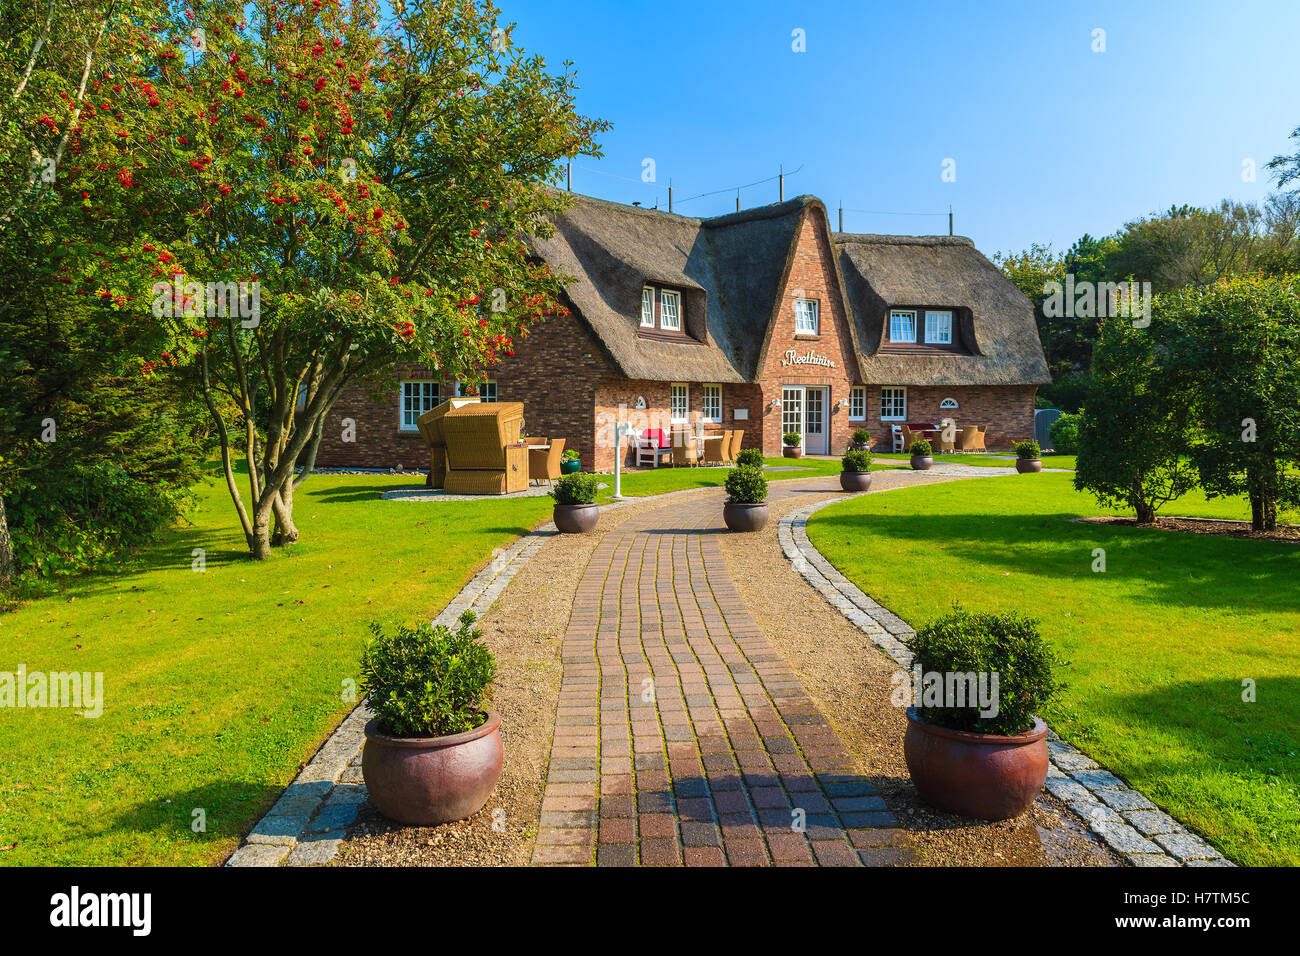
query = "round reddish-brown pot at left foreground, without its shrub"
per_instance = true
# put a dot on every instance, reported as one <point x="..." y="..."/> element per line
<point x="430" y="781"/>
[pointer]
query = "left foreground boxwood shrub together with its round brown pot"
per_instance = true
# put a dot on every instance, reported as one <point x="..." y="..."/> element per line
<point x="434" y="751"/>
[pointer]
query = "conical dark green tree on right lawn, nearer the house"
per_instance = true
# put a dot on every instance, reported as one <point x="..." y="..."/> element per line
<point x="1133" y="435"/>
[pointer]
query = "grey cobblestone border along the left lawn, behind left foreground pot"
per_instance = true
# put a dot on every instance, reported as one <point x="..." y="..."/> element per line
<point x="309" y="823"/>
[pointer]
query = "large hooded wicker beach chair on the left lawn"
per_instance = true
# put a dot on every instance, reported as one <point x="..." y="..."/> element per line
<point x="484" y="452"/>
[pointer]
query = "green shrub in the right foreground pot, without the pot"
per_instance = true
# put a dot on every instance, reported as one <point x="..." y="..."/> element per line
<point x="1008" y="646"/>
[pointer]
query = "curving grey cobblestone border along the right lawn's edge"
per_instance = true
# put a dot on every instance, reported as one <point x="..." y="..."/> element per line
<point x="1128" y="821"/>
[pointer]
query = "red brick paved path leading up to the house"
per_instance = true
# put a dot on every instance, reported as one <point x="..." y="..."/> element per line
<point x="682" y="737"/>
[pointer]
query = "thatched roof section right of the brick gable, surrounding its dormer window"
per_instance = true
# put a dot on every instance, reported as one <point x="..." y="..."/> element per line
<point x="995" y="319"/>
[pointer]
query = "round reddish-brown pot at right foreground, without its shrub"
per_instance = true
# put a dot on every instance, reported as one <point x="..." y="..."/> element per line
<point x="980" y="776"/>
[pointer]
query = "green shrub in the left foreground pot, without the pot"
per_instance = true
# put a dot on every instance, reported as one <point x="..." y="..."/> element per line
<point x="426" y="681"/>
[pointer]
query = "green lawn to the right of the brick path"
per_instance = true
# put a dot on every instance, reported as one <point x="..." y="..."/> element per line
<point x="1160" y="643"/>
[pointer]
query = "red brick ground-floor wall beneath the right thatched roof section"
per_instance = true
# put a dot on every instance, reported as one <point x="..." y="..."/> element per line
<point x="1006" y="410"/>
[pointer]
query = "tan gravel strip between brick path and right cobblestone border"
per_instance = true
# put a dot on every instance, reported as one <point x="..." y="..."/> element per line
<point x="850" y="680"/>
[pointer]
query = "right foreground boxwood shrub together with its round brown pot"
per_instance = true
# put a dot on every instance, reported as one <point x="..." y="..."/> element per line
<point x="987" y="758"/>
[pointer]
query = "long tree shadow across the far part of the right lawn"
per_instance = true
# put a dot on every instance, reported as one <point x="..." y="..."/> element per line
<point x="1165" y="568"/>
